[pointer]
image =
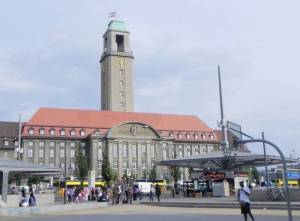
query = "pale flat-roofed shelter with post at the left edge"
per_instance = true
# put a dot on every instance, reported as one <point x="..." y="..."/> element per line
<point x="25" y="168"/>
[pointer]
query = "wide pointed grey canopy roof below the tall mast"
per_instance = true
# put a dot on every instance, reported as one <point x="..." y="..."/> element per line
<point x="217" y="160"/>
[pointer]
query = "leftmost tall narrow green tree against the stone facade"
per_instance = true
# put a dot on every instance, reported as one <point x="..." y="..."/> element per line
<point x="81" y="168"/>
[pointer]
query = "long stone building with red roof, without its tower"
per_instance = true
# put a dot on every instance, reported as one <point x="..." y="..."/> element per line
<point x="134" y="142"/>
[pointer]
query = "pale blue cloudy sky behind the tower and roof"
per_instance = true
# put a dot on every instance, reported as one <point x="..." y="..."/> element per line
<point x="50" y="51"/>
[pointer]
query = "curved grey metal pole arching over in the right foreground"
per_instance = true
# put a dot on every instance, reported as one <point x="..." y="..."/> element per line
<point x="285" y="183"/>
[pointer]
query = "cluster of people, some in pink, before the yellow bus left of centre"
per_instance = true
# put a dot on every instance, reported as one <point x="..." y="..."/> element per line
<point x="78" y="194"/>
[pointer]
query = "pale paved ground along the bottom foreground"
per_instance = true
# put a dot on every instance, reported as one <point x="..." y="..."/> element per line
<point x="154" y="213"/>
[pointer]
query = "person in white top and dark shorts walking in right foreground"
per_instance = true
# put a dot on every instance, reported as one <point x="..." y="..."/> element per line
<point x="243" y="198"/>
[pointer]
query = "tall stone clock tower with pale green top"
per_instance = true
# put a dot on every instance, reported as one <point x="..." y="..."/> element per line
<point x="116" y="69"/>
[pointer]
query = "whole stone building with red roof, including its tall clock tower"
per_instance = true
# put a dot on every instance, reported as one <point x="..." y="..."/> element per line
<point x="133" y="141"/>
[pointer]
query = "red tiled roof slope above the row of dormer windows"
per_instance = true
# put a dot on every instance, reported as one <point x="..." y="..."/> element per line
<point x="56" y="117"/>
